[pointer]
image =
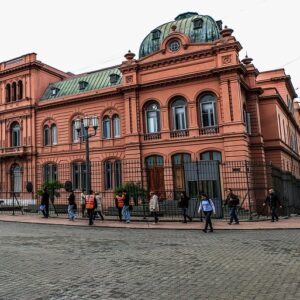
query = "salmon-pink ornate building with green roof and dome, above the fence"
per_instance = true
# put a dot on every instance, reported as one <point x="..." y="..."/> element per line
<point x="187" y="97"/>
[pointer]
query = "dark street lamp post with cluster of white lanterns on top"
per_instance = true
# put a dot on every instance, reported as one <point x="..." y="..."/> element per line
<point x="83" y="125"/>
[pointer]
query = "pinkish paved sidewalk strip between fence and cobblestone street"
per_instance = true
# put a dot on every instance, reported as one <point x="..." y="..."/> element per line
<point x="291" y="223"/>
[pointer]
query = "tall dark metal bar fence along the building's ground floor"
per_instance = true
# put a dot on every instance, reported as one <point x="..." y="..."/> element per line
<point x="249" y="180"/>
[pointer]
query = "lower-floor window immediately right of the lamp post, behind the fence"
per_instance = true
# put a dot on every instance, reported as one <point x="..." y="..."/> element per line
<point x="112" y="174"/>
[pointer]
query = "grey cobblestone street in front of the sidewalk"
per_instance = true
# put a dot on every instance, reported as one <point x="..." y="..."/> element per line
<point x="64" y="262"/>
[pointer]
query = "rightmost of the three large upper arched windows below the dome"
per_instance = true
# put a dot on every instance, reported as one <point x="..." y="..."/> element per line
<point x="208" y="110"/>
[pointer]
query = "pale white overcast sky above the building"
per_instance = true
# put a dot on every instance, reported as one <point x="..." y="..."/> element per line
<point x="80" y="36"/>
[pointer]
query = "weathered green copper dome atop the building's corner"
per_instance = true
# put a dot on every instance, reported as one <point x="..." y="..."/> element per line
<point x="200" y="29"/>
